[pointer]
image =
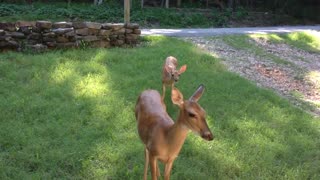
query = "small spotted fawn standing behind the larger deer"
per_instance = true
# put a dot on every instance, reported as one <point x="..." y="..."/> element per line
<point x="170" y="74"/>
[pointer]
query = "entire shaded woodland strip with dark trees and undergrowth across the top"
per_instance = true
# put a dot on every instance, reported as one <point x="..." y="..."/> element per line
<point x="216" y="14"/>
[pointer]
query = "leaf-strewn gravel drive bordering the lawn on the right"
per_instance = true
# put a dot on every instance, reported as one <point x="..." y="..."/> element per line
<point x="298" y="79"/>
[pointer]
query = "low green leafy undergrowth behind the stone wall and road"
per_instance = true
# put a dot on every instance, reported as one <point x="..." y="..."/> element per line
<point x="113" y="12"/>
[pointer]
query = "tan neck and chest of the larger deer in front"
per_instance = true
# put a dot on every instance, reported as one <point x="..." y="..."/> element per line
<point x="177" y="134"/>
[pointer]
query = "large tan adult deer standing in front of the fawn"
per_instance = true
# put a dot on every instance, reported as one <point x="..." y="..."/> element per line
<point x="162" y="137"/>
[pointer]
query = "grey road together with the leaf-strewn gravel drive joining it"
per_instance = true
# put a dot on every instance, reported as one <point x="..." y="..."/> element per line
<point x="298" y="79"/>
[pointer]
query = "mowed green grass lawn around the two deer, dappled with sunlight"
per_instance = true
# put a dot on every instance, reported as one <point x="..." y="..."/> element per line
<point x="70" y="115"/>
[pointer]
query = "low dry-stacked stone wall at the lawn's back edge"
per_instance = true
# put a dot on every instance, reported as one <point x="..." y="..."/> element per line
<point x="42" y="35"/>
